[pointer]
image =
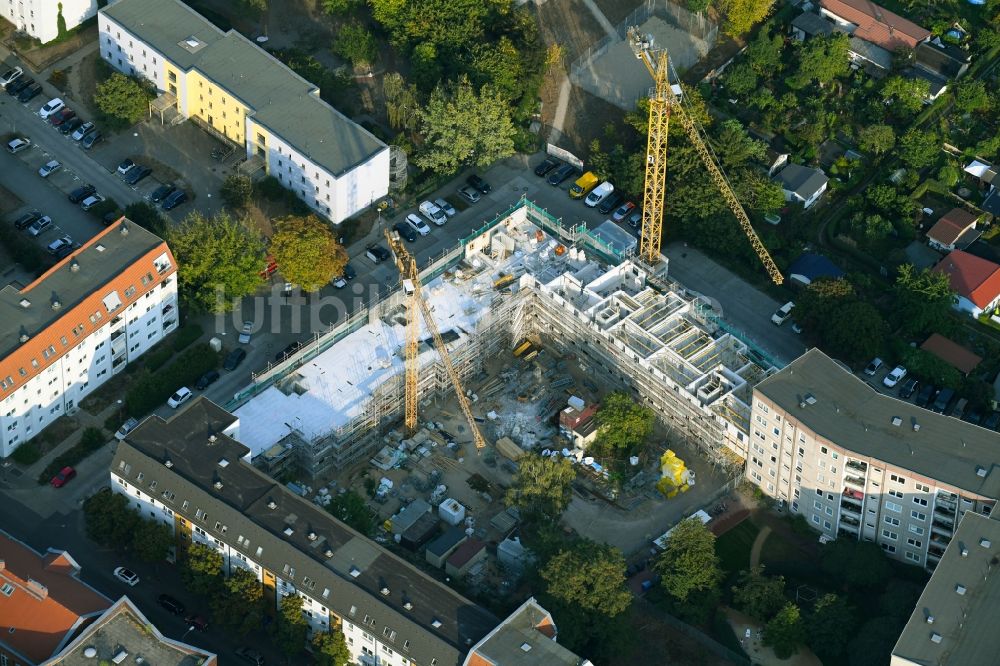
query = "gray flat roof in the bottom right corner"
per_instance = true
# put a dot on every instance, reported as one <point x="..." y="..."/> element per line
<point x="964" y="623"/>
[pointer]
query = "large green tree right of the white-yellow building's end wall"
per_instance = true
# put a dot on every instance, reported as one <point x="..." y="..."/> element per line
<point x="461" y="127"/>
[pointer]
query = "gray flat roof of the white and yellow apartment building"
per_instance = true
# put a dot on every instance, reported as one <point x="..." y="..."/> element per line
<point x="281" y="100"/>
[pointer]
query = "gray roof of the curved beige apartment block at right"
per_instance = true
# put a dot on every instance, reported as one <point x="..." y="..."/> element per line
<point x="849" y="412"/>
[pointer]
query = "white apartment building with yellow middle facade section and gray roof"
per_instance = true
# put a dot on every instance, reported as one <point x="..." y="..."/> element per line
<point x="245" y="96"/>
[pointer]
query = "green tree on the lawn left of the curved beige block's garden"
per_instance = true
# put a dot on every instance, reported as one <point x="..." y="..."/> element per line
<point x="689" y="564"/>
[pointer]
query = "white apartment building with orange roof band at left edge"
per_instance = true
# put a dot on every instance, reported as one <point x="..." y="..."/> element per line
<point x="79" y="324"/>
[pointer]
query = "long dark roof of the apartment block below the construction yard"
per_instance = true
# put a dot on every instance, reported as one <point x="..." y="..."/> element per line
<point x="250" y="504"/>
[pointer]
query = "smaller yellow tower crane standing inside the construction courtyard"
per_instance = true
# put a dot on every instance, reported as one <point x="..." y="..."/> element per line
<point x="407" y="265"/>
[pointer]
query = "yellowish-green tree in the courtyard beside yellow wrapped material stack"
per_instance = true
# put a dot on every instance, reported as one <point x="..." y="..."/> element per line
<point x="541" y="488"/>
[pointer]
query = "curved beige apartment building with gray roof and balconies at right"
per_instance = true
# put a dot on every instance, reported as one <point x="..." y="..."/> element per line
<point x="858" y="464"/>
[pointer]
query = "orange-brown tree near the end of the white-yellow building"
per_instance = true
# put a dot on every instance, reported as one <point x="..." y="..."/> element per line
<point x="306" y="251"/>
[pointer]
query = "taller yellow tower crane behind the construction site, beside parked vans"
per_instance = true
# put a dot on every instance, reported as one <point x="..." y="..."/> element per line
<point x="661" y="103"/>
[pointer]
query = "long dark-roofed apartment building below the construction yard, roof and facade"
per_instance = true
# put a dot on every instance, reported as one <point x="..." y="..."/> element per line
<point x="189" y="473"/>
